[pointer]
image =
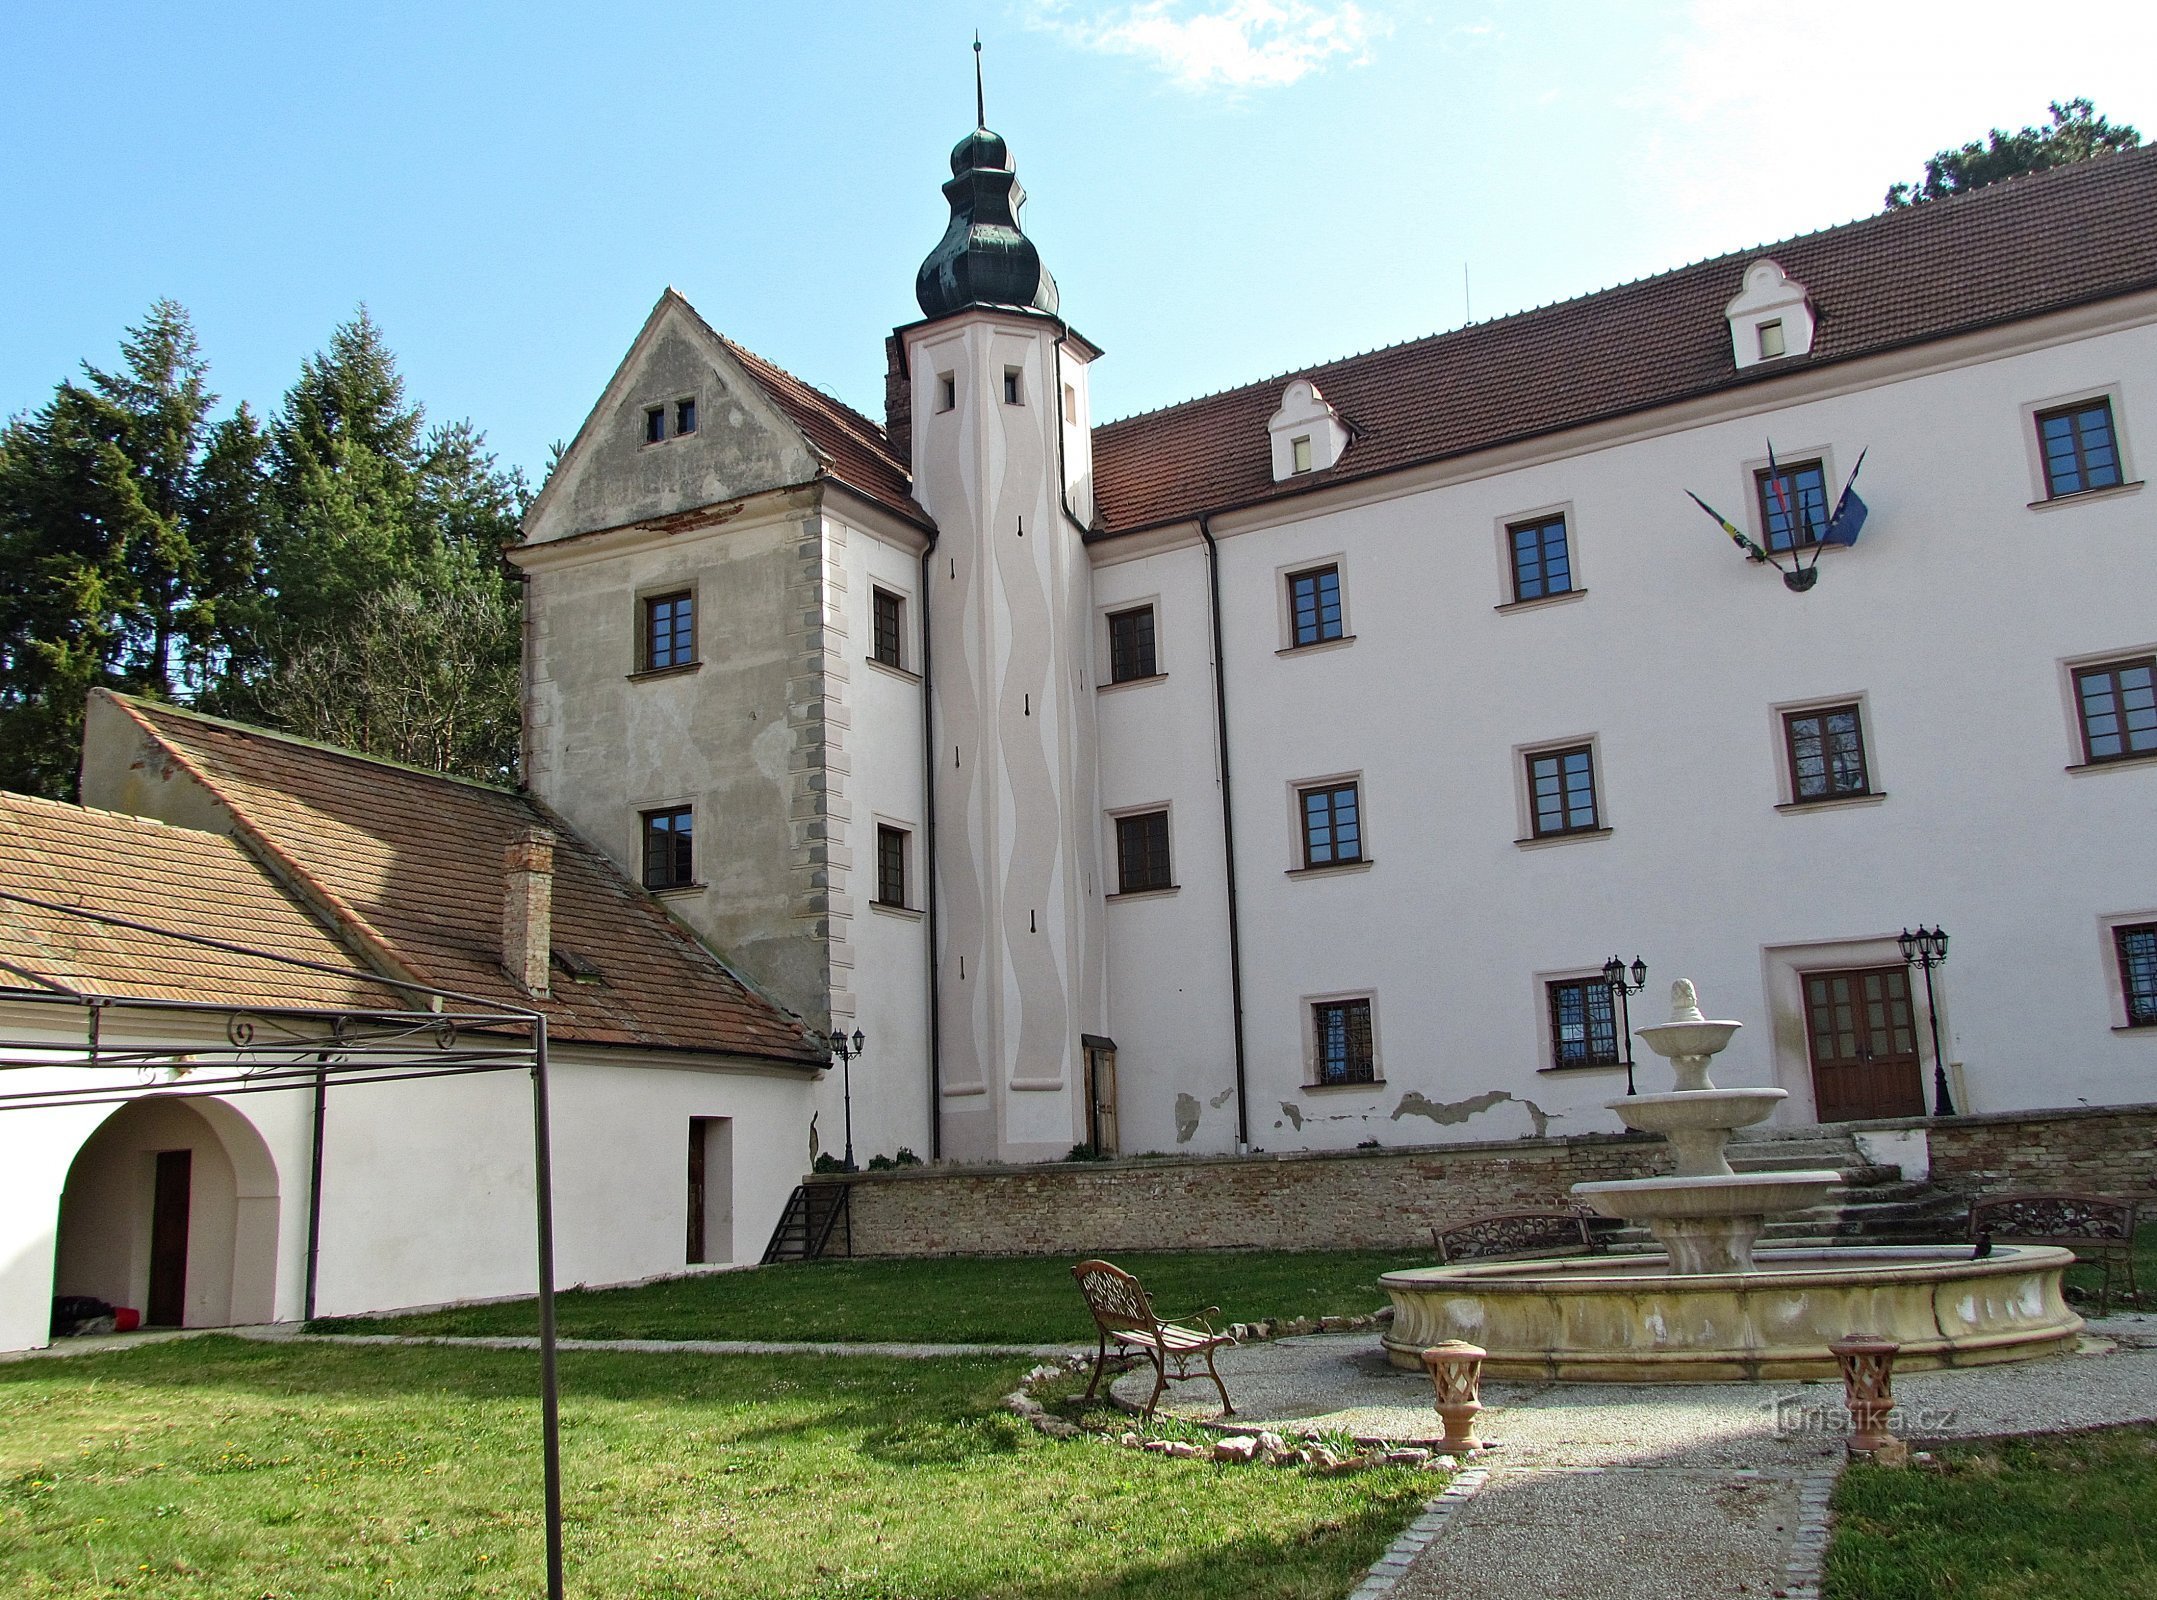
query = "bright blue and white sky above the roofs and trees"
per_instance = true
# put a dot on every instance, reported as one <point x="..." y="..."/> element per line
<point x="1224" y="189"/>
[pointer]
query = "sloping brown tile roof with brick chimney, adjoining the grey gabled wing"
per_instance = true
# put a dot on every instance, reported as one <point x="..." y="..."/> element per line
<point x="413" y="864"/>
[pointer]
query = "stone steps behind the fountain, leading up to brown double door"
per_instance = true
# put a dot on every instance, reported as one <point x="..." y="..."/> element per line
<point x="1873" y="1206"/>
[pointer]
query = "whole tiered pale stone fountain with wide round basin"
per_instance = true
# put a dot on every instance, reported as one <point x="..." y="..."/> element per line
<point x="1712" y="1308"/>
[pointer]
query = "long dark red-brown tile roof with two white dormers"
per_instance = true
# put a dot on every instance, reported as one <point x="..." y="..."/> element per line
<point x="2009" y="251"/>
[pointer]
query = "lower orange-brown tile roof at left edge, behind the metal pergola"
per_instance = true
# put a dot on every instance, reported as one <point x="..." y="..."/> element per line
<point x="146" y="872"/>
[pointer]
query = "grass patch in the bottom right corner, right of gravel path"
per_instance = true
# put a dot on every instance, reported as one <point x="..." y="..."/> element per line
<point x="2065" y="1517"/>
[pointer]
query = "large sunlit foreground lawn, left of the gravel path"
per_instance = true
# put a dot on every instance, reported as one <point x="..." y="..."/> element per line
<point x="228" y="1470"/>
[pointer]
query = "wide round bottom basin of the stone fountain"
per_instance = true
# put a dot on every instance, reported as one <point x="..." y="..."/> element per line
<point x="1636" y="1321"/>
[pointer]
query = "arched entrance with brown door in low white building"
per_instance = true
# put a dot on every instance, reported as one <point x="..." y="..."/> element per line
<point x="171" y="1209"/>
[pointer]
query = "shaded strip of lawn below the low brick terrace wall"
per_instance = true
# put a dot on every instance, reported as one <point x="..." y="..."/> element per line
<point x="939" y="1301"/>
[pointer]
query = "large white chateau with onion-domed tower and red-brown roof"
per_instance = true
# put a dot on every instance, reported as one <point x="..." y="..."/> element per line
<point x="1280" y="771"/>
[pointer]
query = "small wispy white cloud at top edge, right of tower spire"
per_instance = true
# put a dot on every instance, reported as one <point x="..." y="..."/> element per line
<point x="1226" y="44"/>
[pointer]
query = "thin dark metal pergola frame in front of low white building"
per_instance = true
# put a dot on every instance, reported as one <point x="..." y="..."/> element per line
<point x="279" y="1049"/>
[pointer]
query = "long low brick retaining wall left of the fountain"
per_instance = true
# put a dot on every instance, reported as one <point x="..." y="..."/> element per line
<point x="1300" y="1202"/>
